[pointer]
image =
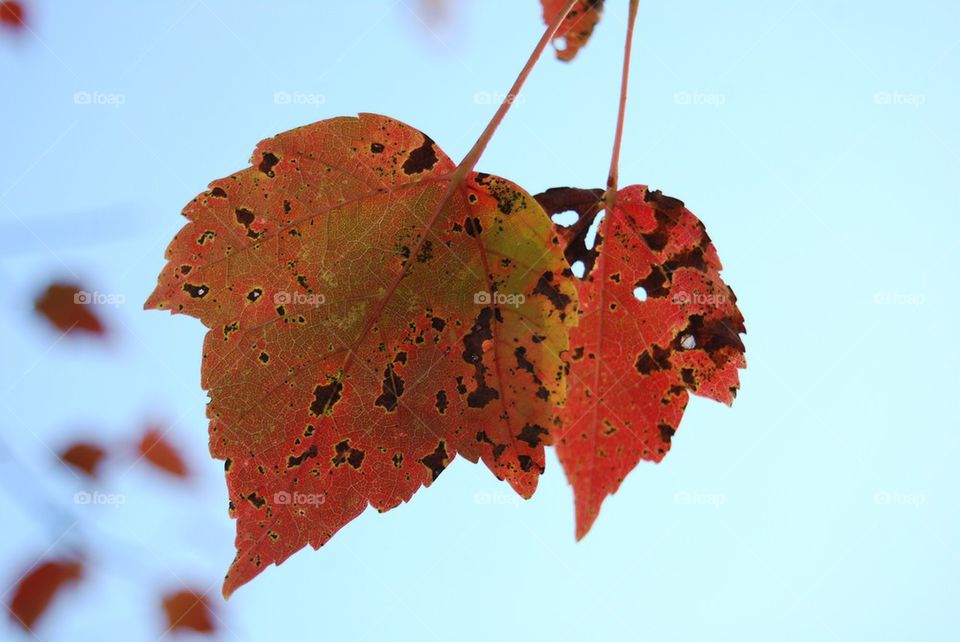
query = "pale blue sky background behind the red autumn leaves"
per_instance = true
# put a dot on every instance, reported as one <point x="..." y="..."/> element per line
<point x="822" y="506"/>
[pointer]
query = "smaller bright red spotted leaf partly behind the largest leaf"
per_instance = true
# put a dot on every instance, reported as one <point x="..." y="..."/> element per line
<point x="657" y="321"/>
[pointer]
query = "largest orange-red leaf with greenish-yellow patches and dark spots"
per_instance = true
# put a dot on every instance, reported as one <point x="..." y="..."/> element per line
<point x="360" y="336"/>
